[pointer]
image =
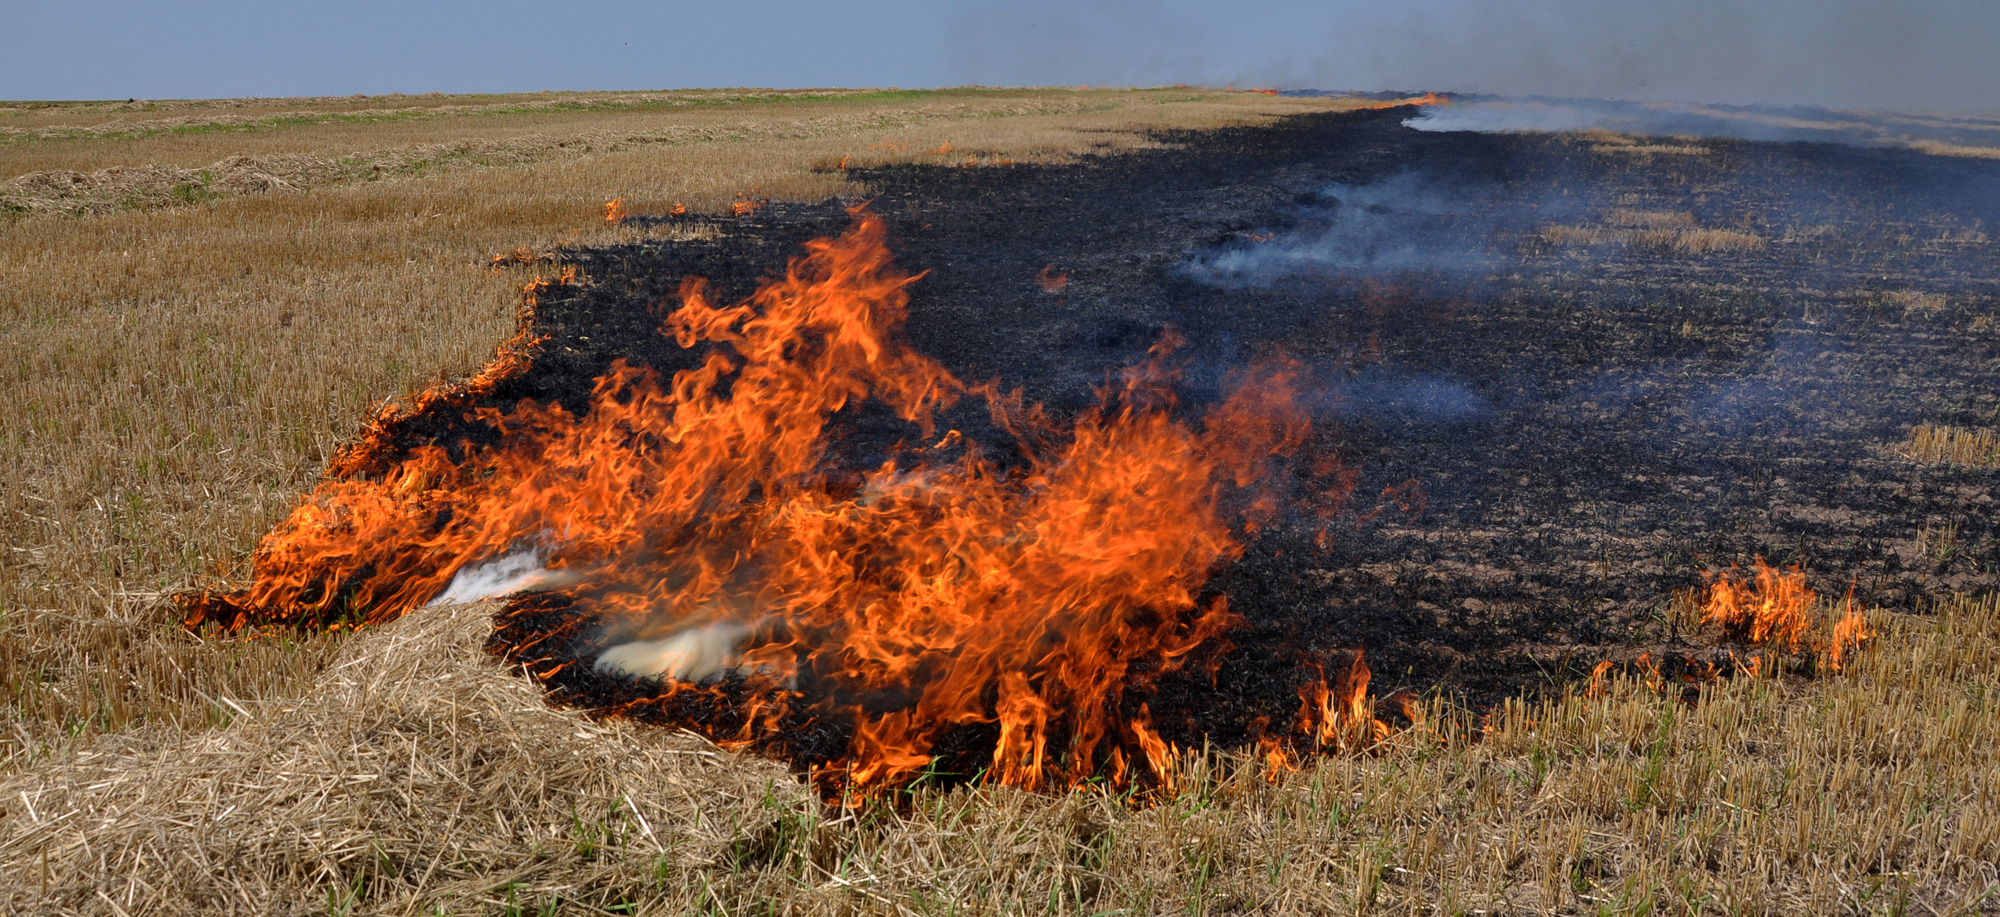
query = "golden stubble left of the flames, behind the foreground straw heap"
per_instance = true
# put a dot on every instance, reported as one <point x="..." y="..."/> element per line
<point x="181" y="367"/>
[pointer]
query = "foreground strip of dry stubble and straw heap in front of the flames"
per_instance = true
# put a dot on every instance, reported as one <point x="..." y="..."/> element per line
<point x="417" y="776"/>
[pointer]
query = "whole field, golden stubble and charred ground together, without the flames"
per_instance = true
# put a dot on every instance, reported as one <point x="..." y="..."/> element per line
<point x="1573" y="377"/>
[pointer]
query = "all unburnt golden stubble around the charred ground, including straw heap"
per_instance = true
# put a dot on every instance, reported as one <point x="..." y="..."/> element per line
<point x="207" y="297"/>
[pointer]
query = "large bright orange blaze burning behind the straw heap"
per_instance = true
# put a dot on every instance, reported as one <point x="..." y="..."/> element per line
<point x="699" y="532"/>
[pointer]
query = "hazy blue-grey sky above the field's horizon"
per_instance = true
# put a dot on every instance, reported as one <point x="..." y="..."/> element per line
<point x="1835" y="53"/>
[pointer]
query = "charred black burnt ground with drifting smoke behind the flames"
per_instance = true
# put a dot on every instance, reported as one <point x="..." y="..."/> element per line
<point x="1563" y="435"/>
